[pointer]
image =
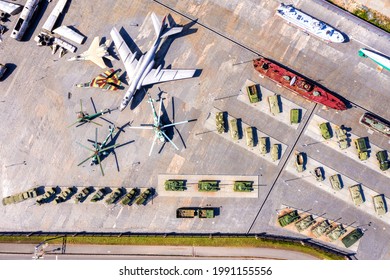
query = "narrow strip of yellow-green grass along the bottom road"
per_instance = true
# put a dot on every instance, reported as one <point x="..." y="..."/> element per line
<point x="181" y="241"/>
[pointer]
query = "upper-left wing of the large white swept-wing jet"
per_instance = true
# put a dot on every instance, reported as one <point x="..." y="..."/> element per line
<point x="128" y="58"/>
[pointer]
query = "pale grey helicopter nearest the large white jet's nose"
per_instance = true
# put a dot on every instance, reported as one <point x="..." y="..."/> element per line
<point x="157" y="126"/>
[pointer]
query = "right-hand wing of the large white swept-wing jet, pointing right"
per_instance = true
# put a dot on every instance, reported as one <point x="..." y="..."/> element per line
<point x="166" y="75"/>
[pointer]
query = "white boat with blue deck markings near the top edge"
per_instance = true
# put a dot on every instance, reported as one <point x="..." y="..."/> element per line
<point x="310" y="24"/>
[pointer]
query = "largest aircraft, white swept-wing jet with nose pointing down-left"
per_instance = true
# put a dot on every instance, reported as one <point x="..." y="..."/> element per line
<point x="140" y="70"/>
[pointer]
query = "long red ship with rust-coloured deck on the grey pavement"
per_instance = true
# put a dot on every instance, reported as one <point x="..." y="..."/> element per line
<point x="297" y="84"/>
